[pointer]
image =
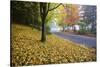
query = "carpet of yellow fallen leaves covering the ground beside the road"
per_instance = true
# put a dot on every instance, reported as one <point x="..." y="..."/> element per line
<point x="27" y="49"/>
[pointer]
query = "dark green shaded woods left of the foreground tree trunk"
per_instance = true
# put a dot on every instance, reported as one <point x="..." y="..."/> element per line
<point x="25" y="12"/>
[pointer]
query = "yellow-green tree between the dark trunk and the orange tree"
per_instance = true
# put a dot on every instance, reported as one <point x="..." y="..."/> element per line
<point x="58" y="15"/>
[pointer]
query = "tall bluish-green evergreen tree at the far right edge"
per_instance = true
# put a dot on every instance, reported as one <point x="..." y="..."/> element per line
<point x="90" y="16"/>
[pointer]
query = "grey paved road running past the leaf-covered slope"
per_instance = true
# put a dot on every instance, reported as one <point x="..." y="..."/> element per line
<point x="87" y="41"/>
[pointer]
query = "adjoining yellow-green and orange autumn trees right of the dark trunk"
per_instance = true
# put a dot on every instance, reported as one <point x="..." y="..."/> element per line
<point x="65" y="14"/>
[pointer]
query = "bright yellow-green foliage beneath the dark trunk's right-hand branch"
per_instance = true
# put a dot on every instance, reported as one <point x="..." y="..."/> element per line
<point x="57" y="14"/>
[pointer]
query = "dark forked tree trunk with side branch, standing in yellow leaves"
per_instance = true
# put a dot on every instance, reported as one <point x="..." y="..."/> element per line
<point x="44" y="9"/>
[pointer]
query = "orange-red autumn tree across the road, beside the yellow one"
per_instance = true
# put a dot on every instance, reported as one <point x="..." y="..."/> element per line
<point x="72" y="17"/>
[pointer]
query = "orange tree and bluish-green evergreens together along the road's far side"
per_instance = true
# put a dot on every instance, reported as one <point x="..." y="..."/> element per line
<point x="86" y="20"/>
